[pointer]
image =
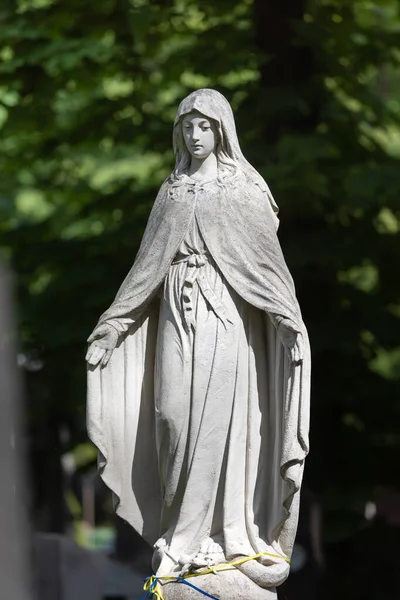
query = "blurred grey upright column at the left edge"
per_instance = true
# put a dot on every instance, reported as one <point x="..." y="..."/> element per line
<point x="15" y="539"/>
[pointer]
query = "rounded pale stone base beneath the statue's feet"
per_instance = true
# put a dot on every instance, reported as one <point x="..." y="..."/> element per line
<point x="225" y="585"/>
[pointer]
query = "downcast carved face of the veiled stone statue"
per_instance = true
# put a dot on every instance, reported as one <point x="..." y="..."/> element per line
<point x="199" y="134"/>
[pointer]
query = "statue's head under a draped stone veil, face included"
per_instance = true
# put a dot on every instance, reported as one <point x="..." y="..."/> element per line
<point x="204" y="123"/>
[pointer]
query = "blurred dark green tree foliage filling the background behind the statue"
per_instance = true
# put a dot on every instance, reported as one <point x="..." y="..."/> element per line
<point x="87" y="99"/>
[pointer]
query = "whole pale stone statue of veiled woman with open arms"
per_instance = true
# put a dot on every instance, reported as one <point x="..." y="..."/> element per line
<point x="199" y="374"/>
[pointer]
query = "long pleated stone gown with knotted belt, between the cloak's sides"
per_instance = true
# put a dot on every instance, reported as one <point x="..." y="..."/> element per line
<point x="211" y="403"/>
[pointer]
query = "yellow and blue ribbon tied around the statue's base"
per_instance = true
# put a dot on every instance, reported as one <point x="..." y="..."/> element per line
<point x="152" y="584"/>
